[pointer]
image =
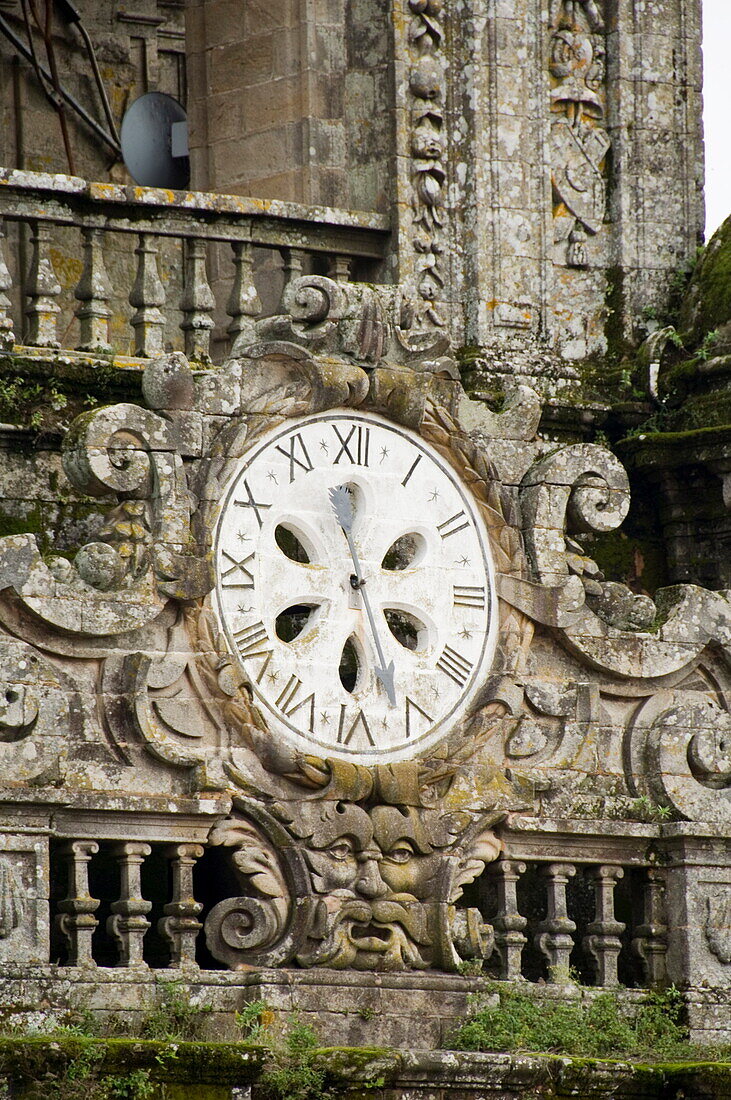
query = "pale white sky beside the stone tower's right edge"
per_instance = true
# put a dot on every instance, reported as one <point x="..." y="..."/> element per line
<point x="717" y="116"/>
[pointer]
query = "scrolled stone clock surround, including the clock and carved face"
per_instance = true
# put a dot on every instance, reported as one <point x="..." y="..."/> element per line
<point x="312" y="590"/>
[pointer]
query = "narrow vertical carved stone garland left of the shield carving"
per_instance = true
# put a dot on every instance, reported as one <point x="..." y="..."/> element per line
<point x="427" y="84"/>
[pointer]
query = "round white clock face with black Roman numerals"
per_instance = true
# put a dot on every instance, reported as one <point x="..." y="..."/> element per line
<point x="355" y="585"/>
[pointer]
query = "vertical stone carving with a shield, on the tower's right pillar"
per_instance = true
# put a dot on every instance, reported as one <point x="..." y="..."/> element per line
<point x="580" y="142"/>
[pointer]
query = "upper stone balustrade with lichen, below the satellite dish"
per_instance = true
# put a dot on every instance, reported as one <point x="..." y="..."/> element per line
<point x="84" y="262"/>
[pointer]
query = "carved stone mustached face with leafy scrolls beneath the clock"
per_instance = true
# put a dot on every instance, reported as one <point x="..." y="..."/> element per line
<point x="365" y="886"/>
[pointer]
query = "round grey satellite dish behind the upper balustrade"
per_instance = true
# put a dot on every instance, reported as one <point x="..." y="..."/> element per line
<point x="154" y="139"/>
